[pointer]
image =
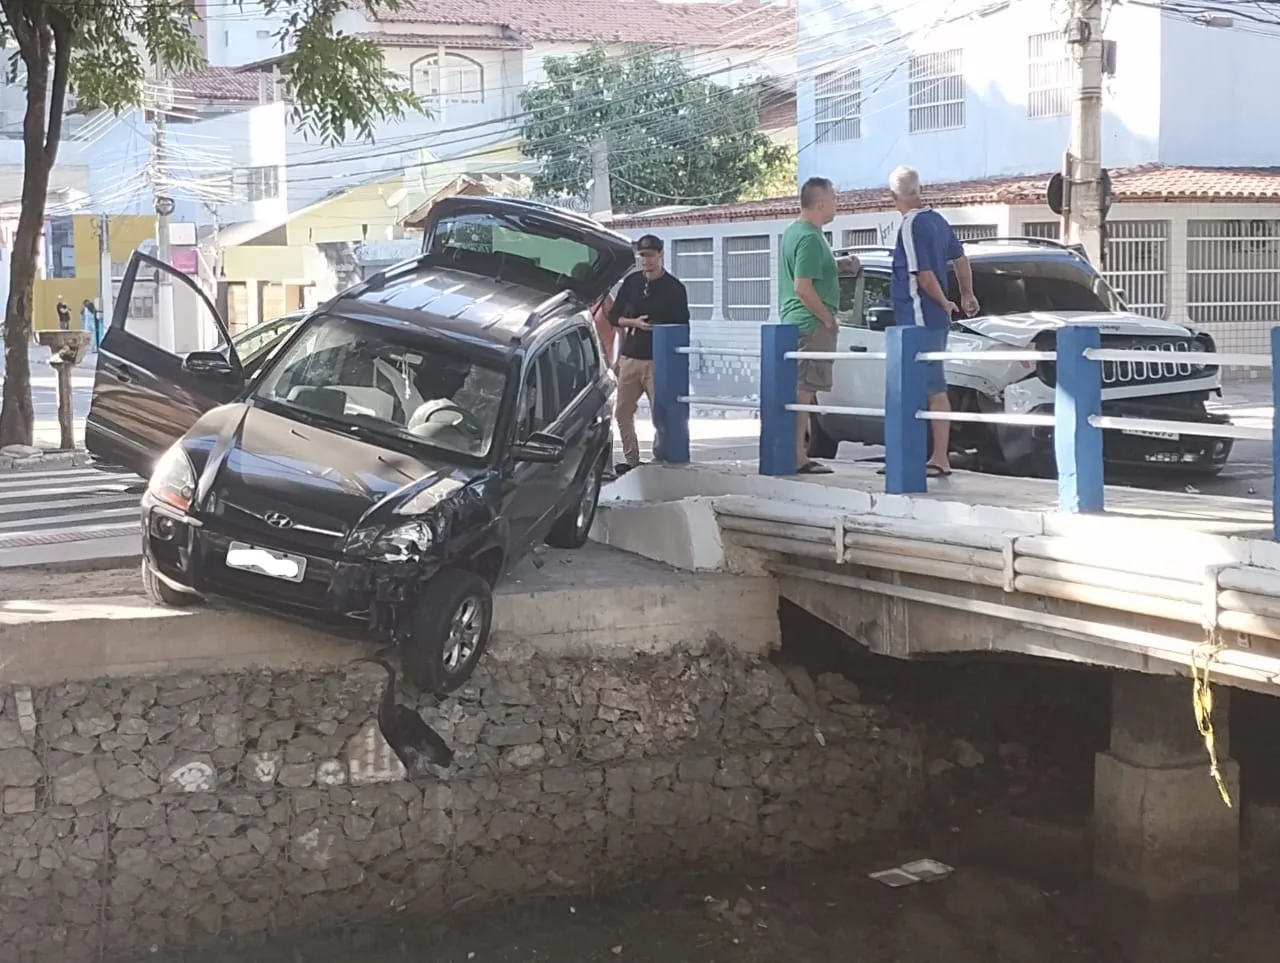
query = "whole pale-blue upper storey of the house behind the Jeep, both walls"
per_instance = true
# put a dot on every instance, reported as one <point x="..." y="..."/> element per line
<point x="972" y="89"/>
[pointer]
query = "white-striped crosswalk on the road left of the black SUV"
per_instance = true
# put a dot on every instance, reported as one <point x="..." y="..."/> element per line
<point x="67" y="504"/>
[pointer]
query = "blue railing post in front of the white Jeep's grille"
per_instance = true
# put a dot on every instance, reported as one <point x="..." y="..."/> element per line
<point x="1077" y="444"/>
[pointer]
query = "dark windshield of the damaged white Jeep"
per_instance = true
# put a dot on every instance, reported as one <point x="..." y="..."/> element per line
<point x="1017" y="286"/>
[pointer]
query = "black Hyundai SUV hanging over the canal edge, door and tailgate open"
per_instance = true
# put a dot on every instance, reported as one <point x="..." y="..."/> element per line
<point x="403" y="449"/>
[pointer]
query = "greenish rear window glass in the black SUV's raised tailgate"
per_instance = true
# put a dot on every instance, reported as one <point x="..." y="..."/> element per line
<point x="514" y="248"/>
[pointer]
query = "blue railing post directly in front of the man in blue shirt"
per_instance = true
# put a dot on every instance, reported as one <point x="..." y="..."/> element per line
<point x="906" y="436"/>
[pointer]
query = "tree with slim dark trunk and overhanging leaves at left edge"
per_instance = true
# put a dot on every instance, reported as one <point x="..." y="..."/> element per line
<point x="100" y="51"/>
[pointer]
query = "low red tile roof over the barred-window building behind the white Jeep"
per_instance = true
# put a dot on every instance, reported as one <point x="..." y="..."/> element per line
<point x="1153" y="184"/>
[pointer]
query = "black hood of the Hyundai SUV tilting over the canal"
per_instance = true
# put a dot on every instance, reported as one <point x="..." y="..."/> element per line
<point x="319" y="480"/>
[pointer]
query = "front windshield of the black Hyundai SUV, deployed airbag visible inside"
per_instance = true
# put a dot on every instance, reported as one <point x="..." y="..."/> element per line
<point x="387" y="384"/>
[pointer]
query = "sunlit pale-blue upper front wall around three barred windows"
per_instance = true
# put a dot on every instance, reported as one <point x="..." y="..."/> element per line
<point x="996" y="135"/>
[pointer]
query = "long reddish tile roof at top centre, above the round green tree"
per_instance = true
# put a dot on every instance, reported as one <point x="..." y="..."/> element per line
<point x="744" y="24"/>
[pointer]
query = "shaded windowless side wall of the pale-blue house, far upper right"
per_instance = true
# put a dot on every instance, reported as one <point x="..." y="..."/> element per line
<point x="1219" y="93"/>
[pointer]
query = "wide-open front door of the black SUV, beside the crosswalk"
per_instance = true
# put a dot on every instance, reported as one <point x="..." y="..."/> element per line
<point x="145" y="395"/>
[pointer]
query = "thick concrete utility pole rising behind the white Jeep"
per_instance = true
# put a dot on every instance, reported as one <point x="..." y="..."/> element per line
<point x="1084" y="204"/>
